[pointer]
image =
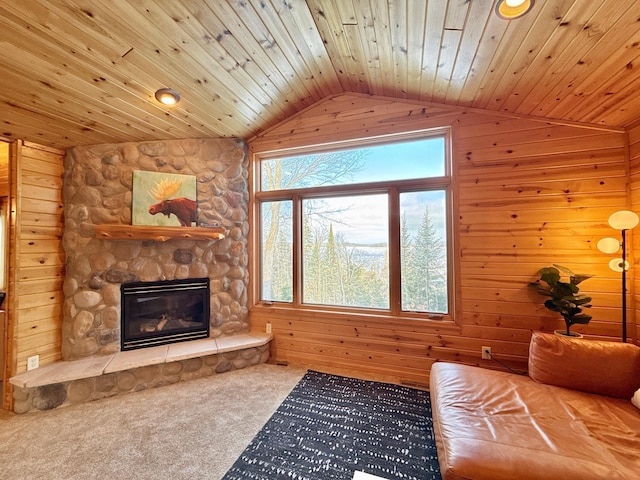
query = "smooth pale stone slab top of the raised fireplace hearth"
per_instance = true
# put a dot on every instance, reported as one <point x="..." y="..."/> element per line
<point x="67" y="371"/>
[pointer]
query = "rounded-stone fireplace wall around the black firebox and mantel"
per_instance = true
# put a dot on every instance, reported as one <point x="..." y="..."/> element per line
<point x="98" y="190"/>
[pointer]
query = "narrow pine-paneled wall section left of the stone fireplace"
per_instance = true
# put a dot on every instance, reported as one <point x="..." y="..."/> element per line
<point x="34" y="301"/>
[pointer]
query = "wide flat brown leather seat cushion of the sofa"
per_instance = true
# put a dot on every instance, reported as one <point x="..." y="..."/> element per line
<point x="492" y="425"/>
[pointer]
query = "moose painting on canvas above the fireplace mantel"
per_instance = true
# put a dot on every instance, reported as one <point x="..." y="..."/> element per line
<point x="163" y="199"/>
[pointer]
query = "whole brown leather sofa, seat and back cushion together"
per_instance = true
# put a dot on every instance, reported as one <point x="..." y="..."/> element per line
<point x="571" y="418"/>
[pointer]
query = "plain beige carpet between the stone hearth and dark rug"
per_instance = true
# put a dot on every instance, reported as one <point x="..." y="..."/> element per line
<point x="190" y="430"/>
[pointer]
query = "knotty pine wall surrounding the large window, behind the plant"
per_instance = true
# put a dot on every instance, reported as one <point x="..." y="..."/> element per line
<point x="528" y="194"/>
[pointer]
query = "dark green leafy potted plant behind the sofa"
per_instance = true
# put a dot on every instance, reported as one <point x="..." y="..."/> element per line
<point x="563" y="296"/>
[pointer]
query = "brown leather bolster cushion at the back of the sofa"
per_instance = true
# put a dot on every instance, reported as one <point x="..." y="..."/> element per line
<point x="606" y="368"/>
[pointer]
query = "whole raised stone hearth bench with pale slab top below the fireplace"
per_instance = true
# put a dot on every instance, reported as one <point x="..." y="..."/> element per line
<point x="79" y="381"/>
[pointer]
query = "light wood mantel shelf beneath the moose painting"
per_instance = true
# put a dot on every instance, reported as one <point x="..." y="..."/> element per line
<point x="159" y="234"/>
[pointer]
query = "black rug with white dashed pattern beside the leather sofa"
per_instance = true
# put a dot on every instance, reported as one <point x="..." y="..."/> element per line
<point x="330" y="426"/>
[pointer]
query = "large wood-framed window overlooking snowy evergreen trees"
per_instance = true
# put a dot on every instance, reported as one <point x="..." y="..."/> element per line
<point x="363" y="226"/>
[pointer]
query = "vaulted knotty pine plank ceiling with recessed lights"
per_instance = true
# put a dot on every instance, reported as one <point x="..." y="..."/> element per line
<point x="78" y="72"/>
